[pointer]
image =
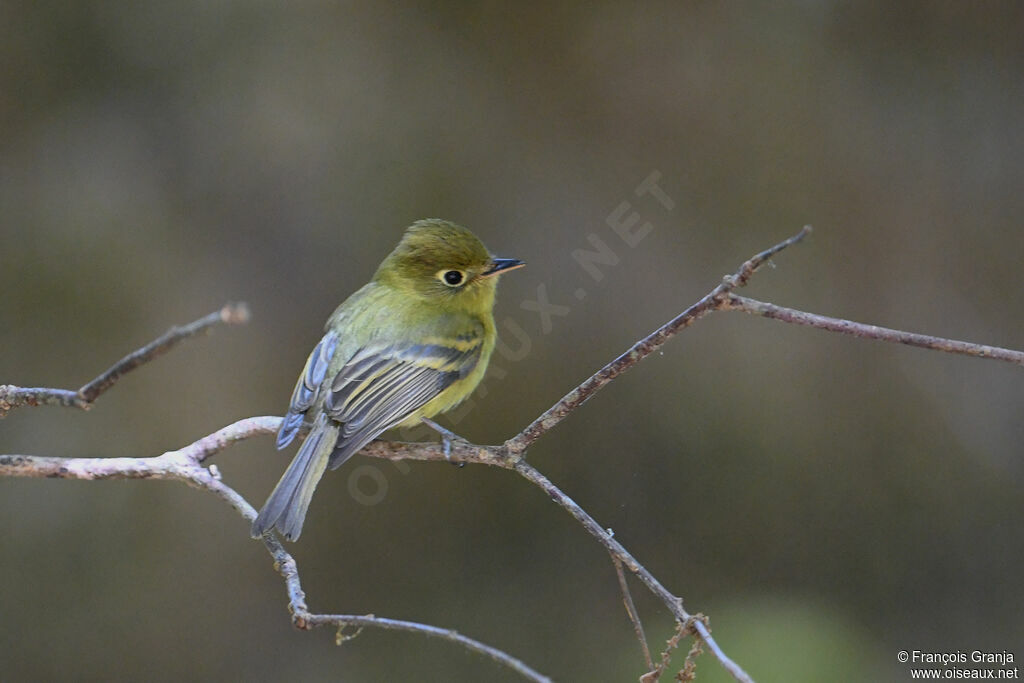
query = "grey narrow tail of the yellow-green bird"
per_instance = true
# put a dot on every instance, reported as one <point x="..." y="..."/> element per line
<point x="286" y="508"/>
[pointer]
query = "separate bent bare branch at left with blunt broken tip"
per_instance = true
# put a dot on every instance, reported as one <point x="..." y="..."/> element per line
<point x="13" y="397"/>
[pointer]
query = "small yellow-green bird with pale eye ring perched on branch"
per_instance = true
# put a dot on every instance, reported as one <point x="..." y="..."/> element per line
<point x="410" y="345"/>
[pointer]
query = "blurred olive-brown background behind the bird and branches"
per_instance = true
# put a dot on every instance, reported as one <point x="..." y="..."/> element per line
<point x="828" y="501"/>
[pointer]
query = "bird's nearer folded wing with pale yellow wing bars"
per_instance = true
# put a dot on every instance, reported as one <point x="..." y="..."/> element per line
<point x="381" y="387"/>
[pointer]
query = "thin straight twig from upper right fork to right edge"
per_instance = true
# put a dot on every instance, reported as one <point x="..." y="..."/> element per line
<point x="764" y="310"/>
